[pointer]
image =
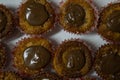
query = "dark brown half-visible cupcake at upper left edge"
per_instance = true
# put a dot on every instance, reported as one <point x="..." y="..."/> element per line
<point x="6" y="21"/>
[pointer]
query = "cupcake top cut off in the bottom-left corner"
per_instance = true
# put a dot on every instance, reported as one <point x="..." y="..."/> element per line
<point x="9" y="76"/>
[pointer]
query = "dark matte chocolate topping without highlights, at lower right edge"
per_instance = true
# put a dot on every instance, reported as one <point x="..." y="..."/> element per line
<point x="111" y="64"/>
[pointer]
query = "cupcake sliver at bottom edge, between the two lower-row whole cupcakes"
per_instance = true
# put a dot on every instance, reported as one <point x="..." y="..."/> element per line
<point x="46" y="76"/>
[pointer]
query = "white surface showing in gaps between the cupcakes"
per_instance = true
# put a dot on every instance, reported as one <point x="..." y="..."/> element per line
<point x="57" y="35"/>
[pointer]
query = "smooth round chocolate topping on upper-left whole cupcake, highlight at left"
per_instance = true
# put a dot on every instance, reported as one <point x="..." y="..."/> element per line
<point x="36" y="14"/>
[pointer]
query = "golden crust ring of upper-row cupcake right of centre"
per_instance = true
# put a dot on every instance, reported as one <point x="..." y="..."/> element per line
<point x="89" y="16"/>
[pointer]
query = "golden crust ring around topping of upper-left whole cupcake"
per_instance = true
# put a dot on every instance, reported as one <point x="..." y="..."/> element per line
<point x="29" y="29"/>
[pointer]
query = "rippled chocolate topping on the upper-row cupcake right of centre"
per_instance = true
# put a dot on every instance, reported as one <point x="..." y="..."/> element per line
<point x="75" y="15"/>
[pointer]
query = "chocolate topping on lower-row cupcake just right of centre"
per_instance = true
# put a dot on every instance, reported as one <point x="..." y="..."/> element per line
<point x="74" y="59"/>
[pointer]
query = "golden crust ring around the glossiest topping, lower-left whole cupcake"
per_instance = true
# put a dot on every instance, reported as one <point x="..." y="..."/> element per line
<point x="19" y="51"/>
